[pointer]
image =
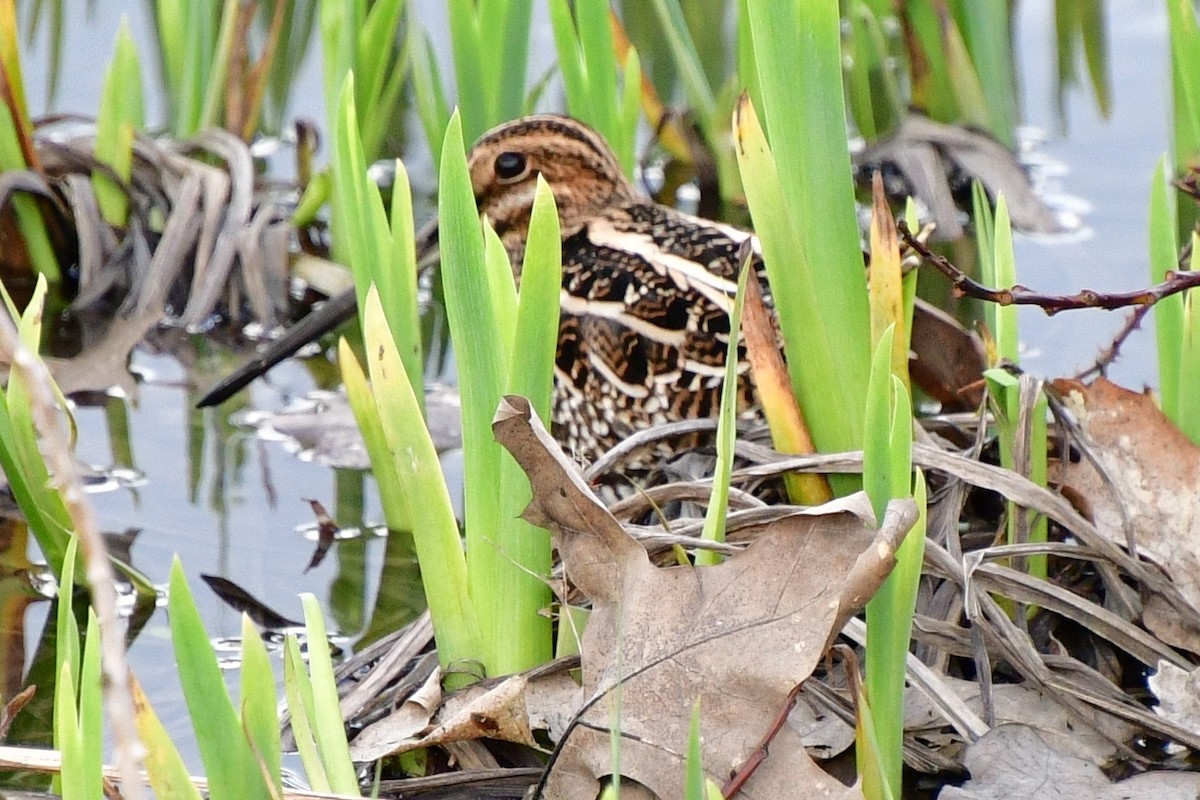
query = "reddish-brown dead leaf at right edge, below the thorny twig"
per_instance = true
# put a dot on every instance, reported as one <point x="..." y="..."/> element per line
<point x="1156" y="471"/>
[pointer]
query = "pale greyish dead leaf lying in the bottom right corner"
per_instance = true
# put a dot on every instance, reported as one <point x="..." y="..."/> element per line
<point x="1018" y="762"/>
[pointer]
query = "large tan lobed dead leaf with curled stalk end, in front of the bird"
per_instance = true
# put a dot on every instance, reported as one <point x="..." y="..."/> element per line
<point x="739" y="636"/>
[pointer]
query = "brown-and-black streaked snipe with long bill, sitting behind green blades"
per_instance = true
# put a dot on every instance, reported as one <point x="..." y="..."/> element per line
<point x="646" y="298"/>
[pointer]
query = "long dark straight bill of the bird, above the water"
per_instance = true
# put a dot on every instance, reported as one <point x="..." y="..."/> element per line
<point x="331" y="315"/>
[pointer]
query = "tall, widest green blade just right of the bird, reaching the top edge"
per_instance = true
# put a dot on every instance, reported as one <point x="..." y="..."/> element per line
<point x="808" y="142"/>
